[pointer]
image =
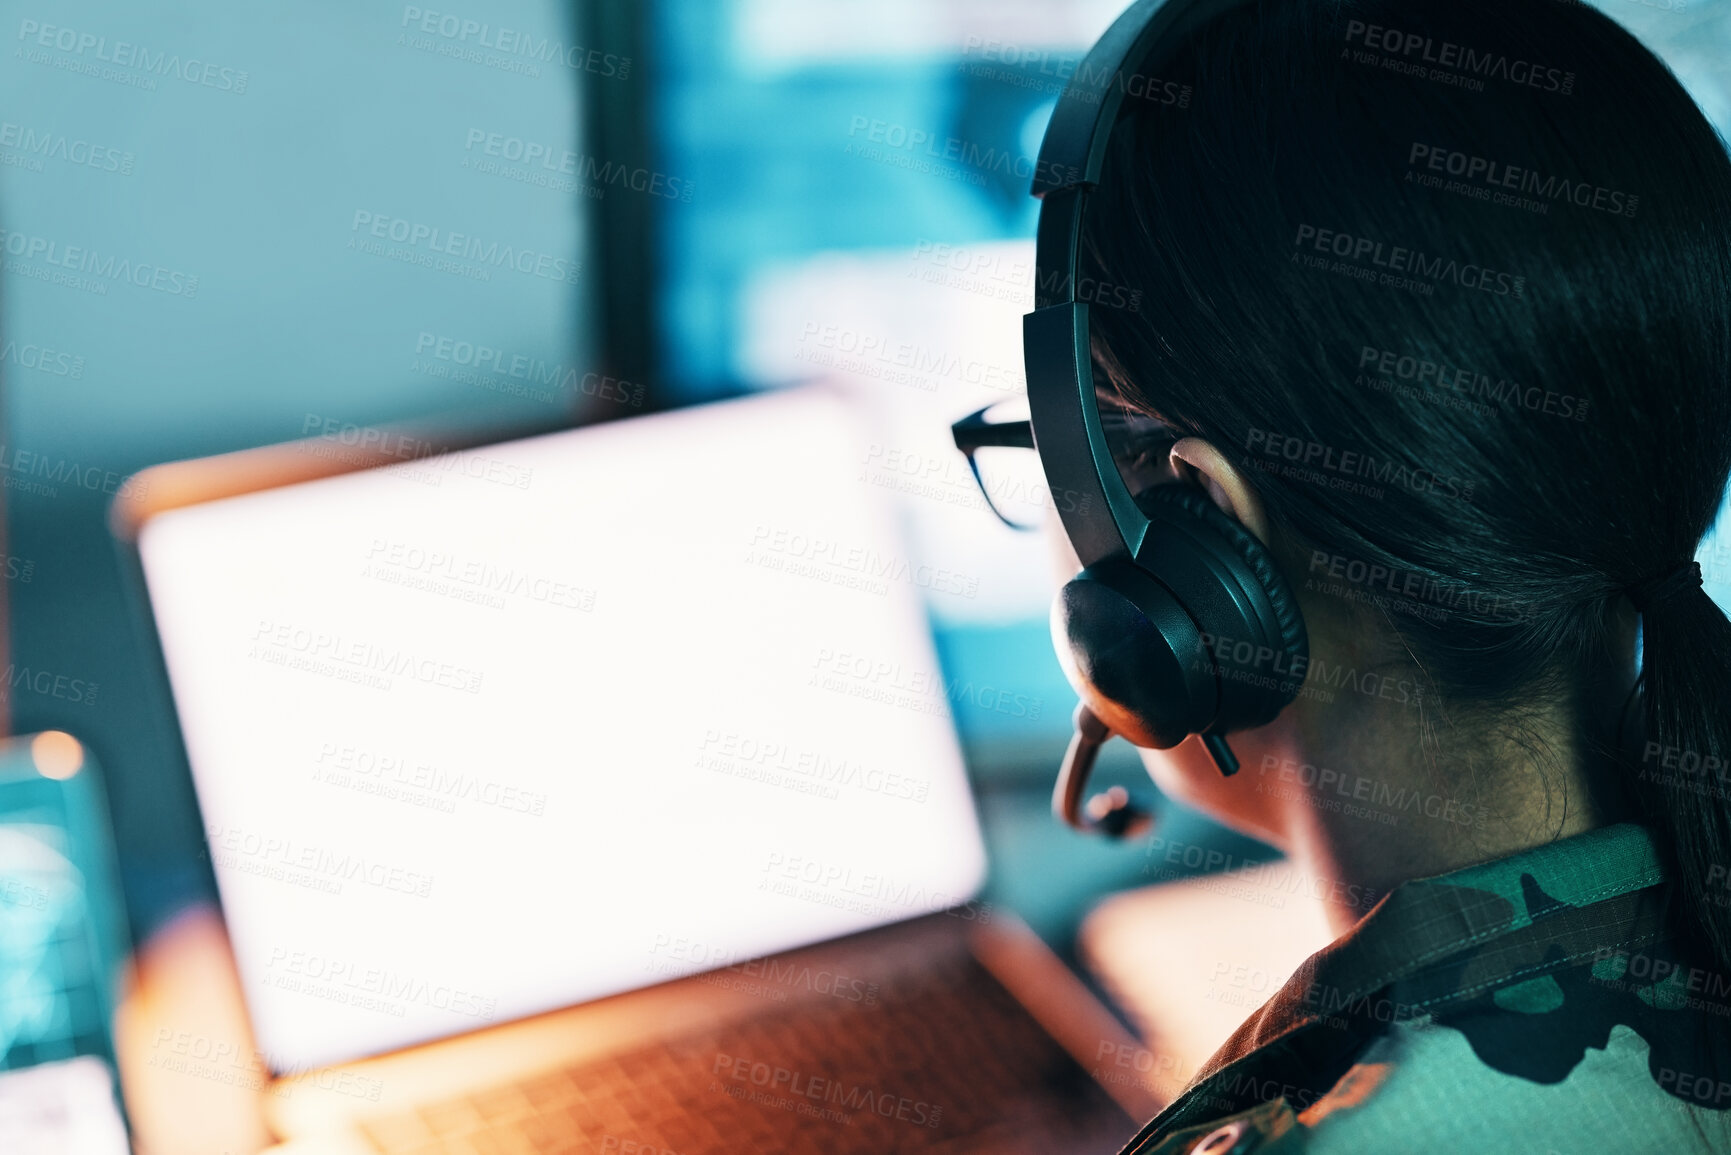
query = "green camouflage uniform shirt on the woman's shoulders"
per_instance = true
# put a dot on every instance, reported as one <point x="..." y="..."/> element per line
<point x="1536" y="1003"/>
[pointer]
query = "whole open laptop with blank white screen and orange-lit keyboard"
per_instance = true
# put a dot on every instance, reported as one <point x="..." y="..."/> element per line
<point x="598" y="792"/>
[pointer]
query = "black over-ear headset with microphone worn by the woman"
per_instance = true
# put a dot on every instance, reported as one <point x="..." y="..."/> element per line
<point x="1180" y="623"/>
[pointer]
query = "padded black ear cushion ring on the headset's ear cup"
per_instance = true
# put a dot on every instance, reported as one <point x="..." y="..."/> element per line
<point x="1199" y="515"/>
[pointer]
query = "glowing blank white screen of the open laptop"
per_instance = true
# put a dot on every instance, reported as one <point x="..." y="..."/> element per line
<point x="501" y="732"/>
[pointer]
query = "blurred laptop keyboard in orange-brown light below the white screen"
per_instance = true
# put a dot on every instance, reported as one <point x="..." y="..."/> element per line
<point x="944" y="1061"/>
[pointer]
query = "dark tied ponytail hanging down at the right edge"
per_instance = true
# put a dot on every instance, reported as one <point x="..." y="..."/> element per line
<point x="1685" y="778"/>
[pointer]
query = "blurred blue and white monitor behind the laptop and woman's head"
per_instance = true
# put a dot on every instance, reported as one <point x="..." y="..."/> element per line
<point x="859" y="210"/>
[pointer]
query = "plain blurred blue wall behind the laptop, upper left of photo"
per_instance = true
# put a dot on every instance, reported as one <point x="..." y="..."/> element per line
<point x="193" y="203"/>
